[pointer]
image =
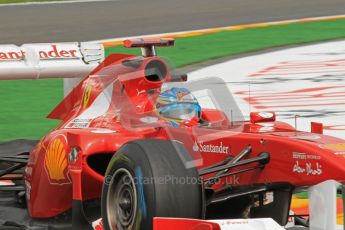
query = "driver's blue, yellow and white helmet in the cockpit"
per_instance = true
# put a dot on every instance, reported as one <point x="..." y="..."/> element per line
<point x="178" y="105"/>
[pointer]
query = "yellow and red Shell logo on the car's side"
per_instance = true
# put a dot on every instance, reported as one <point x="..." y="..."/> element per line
<point x="56" y="161"/>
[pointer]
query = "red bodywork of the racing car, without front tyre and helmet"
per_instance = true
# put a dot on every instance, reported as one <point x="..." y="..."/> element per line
<point x="115" y="105"/>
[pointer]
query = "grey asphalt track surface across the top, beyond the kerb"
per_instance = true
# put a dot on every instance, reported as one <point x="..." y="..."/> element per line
<point x="118" y="18"/>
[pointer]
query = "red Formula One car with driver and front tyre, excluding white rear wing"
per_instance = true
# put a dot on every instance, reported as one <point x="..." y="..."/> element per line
<point x="138" y="141"/>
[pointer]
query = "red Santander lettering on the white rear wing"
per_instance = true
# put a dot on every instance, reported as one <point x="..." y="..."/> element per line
<point x="45" y="52"/>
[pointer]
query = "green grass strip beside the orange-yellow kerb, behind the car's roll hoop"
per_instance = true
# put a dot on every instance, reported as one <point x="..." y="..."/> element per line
<point x="192" y="50"/>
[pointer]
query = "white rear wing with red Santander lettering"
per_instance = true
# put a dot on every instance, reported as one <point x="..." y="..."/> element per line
<point x="49" y="60"/>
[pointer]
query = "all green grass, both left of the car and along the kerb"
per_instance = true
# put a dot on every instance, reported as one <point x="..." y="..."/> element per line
<point x="24" y="104"/>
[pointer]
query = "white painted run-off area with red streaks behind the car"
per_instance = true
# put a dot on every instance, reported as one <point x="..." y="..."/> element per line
<point x="306" y="81"/>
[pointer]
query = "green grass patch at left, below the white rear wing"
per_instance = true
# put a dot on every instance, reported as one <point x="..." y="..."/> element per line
<point x="24" y="106"/>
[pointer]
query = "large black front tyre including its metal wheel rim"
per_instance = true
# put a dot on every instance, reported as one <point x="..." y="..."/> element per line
<point x="146" y="179"/>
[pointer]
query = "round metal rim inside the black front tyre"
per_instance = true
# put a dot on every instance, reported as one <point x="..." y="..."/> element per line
<point x="121" y="200"/>
